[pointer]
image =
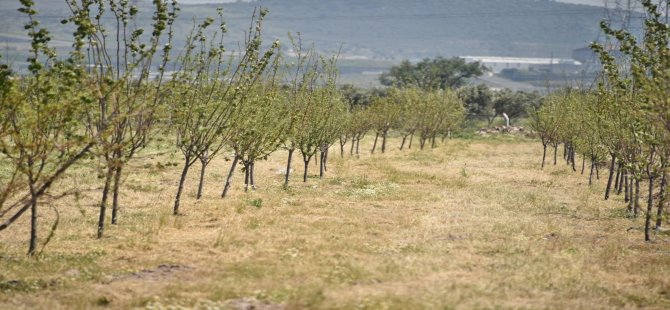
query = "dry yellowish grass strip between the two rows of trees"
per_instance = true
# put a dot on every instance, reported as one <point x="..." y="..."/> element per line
<point x="470" y="224"/>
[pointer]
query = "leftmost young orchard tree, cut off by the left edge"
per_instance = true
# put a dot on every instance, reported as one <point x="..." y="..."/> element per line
<point x="40" y="130"/>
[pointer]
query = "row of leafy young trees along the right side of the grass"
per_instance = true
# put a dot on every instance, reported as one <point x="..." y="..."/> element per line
<point x="625" y="122"/>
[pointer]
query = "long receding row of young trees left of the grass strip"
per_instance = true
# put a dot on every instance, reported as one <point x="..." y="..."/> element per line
<point x="114" y="94"/>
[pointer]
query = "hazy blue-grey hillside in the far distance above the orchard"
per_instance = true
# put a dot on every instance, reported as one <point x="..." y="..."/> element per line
<point x="391" y="29"/>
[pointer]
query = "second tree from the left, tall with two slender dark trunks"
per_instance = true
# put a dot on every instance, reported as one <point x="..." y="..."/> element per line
<point x="119" y="61"/>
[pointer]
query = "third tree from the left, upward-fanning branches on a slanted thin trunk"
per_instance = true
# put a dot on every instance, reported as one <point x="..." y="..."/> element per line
<point x="209" y="89"/>
